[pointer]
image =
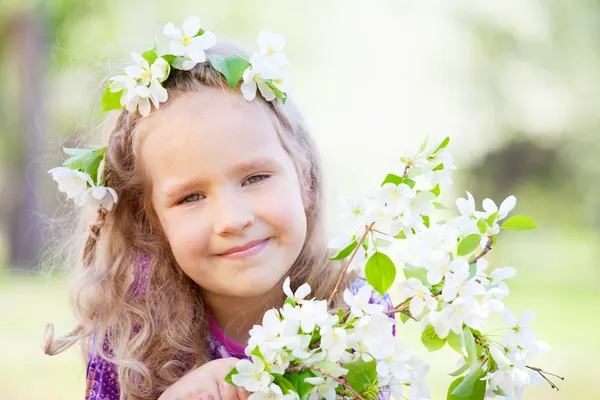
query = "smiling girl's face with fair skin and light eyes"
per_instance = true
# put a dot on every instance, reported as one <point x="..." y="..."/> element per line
<point x="225" y="191"/>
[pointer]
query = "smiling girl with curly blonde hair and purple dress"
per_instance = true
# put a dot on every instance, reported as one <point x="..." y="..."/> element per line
<point x="219" y="200"/>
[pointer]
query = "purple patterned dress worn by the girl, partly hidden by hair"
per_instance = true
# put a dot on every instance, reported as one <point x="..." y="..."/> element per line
<point x="101" y="376"/>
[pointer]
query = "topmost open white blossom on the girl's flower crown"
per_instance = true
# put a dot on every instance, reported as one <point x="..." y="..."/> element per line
<point x="186" y="45"/>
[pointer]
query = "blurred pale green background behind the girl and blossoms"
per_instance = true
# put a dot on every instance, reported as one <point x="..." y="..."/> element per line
<point x="515" y="83"/>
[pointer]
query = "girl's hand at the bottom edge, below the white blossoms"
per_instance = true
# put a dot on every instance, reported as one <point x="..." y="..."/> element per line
<point x="205" y="381"/>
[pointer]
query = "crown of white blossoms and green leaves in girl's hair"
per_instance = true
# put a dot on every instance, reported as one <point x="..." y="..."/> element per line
<point x="141" y="87"/>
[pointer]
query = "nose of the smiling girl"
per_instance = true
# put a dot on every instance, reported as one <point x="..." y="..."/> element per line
<point x="232" y="215"/>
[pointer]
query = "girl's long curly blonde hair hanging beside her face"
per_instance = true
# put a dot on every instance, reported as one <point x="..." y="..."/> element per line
<point x="150" y="338"/>
